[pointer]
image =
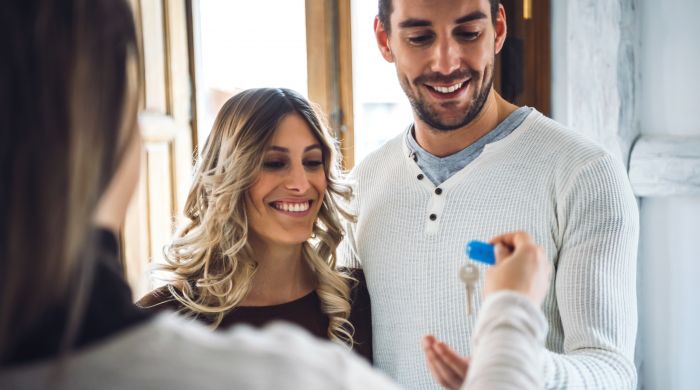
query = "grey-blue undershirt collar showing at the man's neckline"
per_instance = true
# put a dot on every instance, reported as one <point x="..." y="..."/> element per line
<point x="439" y="169"/>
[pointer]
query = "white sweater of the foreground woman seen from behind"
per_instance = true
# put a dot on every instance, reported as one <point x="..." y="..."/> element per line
<point x="173" y="353"/>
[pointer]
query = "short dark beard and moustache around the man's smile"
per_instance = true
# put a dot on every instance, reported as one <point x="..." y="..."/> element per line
<point x="431" y="117"/>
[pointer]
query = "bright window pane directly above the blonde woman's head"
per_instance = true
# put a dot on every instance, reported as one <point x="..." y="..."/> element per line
<point x="241" y="45"/>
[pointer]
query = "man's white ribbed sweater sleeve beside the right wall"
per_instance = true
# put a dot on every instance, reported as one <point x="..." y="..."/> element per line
<point x="595" y="281"/>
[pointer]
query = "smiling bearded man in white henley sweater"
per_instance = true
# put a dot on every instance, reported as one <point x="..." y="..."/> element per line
<point x="472" y="165"/>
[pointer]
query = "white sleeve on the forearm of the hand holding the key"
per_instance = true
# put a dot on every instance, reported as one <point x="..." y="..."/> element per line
<point x="508" y="344"/>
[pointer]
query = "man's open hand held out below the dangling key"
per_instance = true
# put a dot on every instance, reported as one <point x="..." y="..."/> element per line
<point x="447" y="367"/>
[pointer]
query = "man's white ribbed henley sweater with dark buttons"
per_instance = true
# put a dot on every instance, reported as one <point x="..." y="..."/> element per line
<point x="573" y="197"/>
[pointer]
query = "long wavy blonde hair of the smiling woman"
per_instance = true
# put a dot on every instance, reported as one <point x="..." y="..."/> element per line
<point x="210" y="260"/>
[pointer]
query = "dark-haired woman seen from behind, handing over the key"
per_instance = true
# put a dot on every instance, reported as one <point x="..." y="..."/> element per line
<point x="69" y="159"/>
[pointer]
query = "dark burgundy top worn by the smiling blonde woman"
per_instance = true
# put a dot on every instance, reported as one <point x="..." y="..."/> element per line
<point x="305" y="312"/>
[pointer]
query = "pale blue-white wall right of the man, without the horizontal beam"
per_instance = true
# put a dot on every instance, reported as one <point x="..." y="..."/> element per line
<point x="651" y="47"/>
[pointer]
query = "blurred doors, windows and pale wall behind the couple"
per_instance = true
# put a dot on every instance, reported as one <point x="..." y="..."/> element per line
<point x="622" y="72"/>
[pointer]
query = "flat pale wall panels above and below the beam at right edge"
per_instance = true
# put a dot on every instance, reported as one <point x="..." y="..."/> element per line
<point x="669" y="262"/>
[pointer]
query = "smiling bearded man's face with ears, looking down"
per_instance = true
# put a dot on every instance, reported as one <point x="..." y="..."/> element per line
<point x="444" y="53"/>
